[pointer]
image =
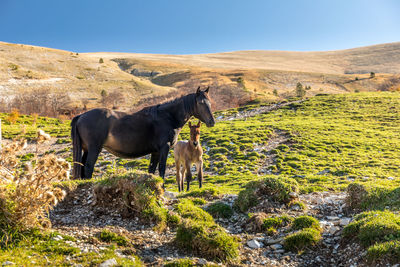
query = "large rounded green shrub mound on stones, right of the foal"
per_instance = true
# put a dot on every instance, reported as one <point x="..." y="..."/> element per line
<point x="272" y="188"/>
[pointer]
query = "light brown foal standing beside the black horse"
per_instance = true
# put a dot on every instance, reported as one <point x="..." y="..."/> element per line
<point x="186" y="154"/>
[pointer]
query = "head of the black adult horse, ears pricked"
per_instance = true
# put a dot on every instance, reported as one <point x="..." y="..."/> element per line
<point x="203" y="107"/>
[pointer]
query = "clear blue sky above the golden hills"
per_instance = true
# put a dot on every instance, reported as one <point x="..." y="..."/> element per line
<point x="199" y="26"/>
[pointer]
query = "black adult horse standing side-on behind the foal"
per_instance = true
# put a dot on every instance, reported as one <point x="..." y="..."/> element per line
<point x="153" y="130"/>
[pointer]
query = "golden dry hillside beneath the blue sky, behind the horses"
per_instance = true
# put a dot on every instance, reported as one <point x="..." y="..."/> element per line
<point x="235" y="77"/>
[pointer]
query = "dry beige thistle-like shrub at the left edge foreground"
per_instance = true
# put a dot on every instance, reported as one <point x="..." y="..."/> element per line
<point x="26" y="191"/>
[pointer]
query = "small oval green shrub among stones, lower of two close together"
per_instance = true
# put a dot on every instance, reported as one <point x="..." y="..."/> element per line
<point x="302" y="240"/>
